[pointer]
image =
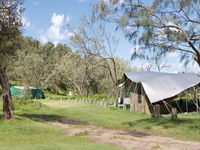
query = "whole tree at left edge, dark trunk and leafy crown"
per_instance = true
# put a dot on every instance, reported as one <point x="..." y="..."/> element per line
<point x="10" y="24"/>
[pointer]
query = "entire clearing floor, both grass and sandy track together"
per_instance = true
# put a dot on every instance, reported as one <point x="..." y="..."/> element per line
<point x="61" y="125"/>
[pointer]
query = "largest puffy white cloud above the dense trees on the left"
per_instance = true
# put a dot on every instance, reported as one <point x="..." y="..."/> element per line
<point x="57" y="32"/>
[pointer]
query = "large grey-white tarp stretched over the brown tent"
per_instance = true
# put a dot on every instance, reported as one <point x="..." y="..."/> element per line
<point x="159" y="86"/>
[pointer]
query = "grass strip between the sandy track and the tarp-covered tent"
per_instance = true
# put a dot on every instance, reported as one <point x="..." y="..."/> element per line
<point x="186" y="127"/>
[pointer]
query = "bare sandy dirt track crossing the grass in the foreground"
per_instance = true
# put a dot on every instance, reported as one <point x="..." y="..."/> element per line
<point x="127" y="139"/>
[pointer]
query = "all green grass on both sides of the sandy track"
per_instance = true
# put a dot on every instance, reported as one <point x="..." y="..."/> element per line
<point x="31" y="129"/>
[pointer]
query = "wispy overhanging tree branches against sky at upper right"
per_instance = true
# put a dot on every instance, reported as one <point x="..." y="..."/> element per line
<point x="157" y="26"/>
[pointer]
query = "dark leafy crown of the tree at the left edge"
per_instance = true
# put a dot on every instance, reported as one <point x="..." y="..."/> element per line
<point x="10" y="27"/>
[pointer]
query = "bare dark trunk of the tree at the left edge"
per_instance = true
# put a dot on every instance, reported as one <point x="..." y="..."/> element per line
<point x="6" y="95"/>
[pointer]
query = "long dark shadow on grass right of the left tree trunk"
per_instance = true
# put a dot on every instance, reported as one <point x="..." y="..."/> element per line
<point x="52" y="118"/>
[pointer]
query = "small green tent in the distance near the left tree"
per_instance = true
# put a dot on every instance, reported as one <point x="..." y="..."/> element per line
<point x="22" y="92"/>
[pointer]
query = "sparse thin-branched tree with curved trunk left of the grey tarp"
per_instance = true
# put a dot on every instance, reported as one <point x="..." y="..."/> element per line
<point x="93" y="41"/>
